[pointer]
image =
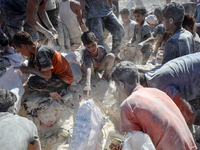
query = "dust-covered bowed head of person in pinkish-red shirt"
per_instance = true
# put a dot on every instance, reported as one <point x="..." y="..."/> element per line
<point x="125" y="75"/>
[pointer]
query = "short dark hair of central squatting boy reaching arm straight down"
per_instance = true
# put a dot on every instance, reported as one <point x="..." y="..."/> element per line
<point x="88" y="37"/>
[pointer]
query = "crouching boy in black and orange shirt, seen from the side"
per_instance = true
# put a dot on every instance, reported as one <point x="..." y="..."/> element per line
<point x="51" y="70"/>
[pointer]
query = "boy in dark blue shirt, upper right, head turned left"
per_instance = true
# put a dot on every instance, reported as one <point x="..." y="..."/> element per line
<point x="181" y="43"/>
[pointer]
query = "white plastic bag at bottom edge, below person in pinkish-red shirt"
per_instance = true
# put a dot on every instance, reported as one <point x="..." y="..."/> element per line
<point x="137" y="140"/>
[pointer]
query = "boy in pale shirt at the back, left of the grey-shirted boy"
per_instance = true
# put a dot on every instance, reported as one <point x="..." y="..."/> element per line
<point x="129" y="25"/>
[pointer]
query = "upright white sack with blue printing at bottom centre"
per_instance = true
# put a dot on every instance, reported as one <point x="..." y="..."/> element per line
<point x="87" y="132"/>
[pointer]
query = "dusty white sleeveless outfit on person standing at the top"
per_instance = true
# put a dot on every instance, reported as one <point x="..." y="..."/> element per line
<point x="73" y="26"/>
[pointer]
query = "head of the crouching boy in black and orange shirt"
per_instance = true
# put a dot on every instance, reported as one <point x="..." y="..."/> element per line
<point x="22" y="41"/>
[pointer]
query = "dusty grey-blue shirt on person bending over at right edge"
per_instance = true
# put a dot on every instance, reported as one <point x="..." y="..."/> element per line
<point x="179" y="75"/>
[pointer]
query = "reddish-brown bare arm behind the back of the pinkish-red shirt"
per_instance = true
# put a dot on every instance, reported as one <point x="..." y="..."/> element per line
<point x="185" y="109"/>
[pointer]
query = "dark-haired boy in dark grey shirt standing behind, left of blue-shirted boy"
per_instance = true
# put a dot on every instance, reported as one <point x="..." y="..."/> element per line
<point x="142" y="32"/>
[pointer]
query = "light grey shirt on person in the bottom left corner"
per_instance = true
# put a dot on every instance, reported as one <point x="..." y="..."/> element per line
<point x="16" y="132"/>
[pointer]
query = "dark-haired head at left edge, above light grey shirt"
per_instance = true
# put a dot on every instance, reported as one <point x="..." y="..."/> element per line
<point x="7" y="100"/>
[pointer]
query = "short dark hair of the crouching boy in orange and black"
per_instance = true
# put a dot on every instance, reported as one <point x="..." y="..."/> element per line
<point x="22" y="37"/>
